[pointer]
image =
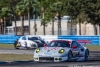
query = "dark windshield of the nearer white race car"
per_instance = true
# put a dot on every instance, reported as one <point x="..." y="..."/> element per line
<point x="58" y="44"/>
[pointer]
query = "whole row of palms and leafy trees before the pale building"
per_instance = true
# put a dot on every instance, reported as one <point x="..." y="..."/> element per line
<point x="78" y="10"/>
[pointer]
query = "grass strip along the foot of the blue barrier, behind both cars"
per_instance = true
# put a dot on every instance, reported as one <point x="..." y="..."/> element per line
<point x="90" y="47"/>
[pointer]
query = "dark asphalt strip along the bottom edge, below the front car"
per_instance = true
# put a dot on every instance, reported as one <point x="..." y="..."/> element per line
<point x="61" y="64"/>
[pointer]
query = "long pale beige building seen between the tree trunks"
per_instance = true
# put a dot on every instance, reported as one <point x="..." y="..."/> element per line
<point x="66" y="27"/>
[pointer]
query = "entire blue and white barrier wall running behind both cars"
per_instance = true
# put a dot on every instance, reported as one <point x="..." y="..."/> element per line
<point x="9" y="39"/>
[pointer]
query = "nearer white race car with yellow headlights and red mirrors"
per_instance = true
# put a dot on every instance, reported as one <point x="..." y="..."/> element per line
<point x="61" y="50"/>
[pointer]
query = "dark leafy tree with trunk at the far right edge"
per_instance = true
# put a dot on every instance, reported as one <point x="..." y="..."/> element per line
<point x="93" y="11"/>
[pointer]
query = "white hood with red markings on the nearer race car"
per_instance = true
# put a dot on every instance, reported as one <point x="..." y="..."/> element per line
<point x="51" y="51"/>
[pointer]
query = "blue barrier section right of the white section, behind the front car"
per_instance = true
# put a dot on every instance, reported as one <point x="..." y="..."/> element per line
<point x="95" y="40"/>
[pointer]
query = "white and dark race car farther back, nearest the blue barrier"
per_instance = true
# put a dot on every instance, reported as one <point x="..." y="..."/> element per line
<point x="29" y="41"/>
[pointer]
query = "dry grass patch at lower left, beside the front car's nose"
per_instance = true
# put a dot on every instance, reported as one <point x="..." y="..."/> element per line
<point x="15" y="57"/>
